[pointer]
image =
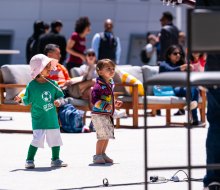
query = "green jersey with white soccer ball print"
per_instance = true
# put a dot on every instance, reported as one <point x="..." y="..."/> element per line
<point x="41" y="96"/>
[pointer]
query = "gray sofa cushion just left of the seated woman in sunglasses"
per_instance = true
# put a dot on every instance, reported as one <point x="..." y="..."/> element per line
<point x="149" y="71"/>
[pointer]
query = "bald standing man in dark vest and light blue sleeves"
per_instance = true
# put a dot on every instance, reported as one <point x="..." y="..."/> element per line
<point x="106" y="44"/>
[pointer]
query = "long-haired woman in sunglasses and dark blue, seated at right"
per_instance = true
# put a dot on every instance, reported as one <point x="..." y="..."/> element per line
<point x="175" y="61"/>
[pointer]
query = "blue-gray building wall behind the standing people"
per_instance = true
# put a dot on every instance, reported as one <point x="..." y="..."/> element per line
<point x="129" y="16"/>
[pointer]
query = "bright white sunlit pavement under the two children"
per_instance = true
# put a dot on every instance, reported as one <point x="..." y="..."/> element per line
<point x="166" y="147"/>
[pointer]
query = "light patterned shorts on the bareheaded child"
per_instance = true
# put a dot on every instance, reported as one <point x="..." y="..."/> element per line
<point x="104" y="126"/>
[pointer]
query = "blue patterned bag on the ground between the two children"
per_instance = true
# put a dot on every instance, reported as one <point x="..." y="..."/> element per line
<point x="71" y="118"/>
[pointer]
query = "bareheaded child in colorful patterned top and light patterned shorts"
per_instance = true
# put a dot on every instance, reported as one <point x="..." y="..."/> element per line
<point x="103" y="109"/>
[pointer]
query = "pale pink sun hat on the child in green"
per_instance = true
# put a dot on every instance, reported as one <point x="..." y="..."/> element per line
<point x="39" y="62"/>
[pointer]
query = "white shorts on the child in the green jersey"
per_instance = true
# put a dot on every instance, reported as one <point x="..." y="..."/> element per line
<point x="52" y="136"/>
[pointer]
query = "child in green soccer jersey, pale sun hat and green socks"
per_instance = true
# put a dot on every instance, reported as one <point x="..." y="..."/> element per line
<point x="44" y="96"/>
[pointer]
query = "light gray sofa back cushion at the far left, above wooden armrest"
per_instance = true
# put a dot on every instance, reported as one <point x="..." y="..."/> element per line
<point x="15" y="74"/>
